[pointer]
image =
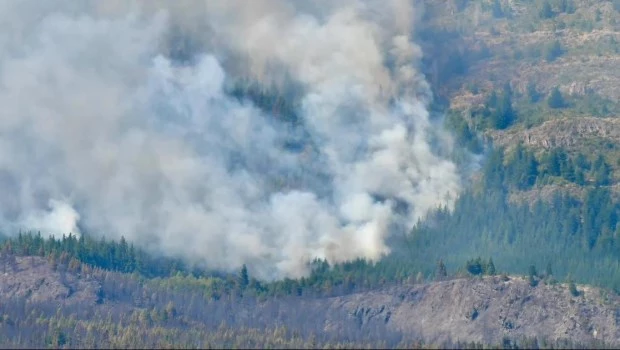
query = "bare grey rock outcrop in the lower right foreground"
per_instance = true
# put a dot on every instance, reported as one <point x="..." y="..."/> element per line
<point x="487" y="310"/>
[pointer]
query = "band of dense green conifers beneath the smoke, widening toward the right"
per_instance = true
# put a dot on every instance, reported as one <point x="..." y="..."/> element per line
<point x="576" y="237"/>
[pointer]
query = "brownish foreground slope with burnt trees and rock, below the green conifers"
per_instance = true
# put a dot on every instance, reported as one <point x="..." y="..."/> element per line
<point x="59" y="306"/>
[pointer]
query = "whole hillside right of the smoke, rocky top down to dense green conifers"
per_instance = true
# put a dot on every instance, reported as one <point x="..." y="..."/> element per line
<point x="534" y="93"/>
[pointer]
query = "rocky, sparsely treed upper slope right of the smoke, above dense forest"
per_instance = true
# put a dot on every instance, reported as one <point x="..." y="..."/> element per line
<point x="523" y="52"/>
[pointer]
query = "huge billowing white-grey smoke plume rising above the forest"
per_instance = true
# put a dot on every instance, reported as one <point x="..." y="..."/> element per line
<point x="102" y="128"/>
